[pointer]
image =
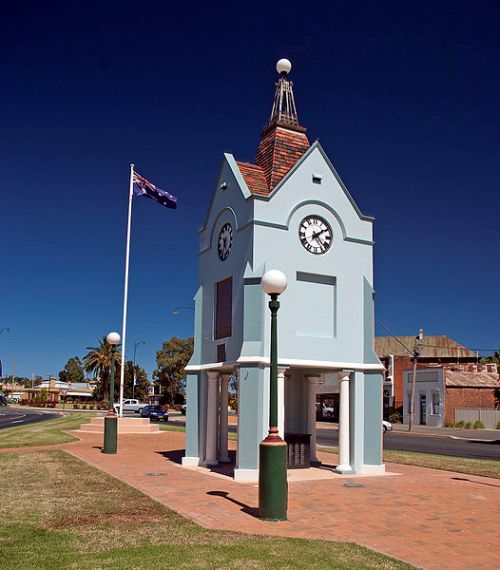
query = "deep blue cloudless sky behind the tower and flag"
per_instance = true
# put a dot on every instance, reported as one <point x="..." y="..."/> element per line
<point x="402" y="95"/>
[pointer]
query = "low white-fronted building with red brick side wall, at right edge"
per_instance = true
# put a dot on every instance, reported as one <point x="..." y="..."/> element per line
<point x="454" y="392"/>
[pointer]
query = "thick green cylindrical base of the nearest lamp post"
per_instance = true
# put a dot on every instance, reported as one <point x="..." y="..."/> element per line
<point x="273" y="485"/>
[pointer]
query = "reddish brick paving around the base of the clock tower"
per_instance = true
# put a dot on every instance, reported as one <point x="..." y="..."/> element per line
<point x="432" y="519"/>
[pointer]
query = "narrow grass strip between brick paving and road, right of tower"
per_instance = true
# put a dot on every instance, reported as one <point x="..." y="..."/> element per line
<point x="465" y="465"/>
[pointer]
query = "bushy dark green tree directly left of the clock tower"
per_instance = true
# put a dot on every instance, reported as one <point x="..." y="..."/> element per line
<point x="171" y="361"/>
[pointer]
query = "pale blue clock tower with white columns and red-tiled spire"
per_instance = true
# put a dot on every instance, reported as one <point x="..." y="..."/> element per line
<point x="289" y="210"/>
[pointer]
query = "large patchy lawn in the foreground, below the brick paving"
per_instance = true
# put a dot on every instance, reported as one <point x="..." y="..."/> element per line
<point x="60" y="513"/>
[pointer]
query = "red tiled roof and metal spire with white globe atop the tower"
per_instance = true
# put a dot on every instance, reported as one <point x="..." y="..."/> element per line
<point x="283" y="141"/>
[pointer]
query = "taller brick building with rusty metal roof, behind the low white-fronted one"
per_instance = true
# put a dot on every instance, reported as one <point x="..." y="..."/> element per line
<point x="395" y="352"/>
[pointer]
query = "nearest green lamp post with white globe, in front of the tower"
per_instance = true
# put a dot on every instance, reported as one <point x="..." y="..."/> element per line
<point x="273" y="486"/>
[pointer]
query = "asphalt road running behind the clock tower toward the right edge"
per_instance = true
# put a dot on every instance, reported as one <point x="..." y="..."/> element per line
<point x="401" y="441"/>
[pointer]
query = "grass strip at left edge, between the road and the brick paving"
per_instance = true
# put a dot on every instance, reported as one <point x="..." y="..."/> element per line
<point x="43" y="433"/>
